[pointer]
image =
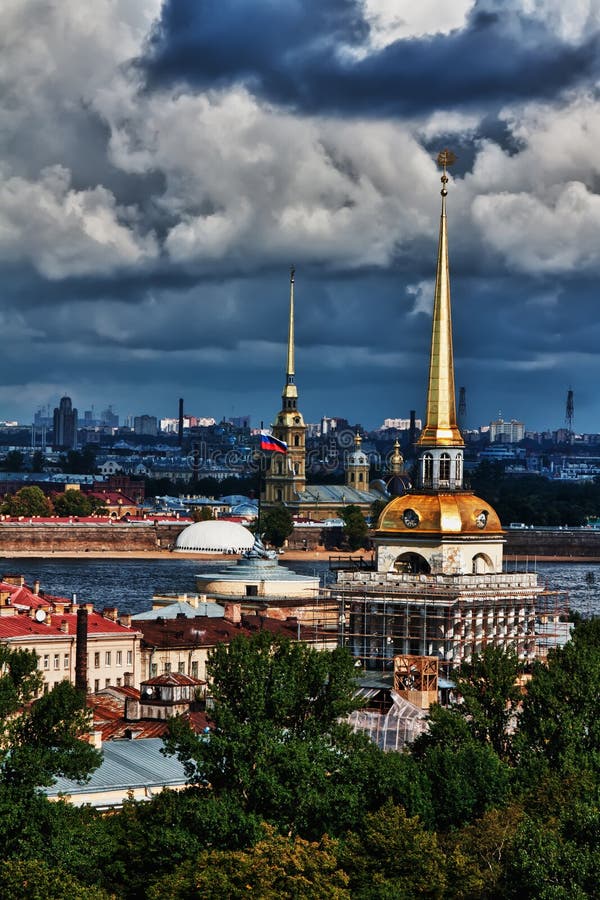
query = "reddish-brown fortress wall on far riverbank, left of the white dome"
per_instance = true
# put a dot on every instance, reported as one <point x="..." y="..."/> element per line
<point x="80" y="536"/>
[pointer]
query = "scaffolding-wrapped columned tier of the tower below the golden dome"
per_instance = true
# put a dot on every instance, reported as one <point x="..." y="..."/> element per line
<point x="449" y="618"/>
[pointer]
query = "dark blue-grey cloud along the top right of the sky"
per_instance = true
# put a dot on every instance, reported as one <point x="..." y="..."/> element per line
<point x="293" y="54"/>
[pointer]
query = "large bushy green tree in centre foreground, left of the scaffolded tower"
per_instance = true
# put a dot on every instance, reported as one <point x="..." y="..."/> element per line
<point x="277" y="745"/>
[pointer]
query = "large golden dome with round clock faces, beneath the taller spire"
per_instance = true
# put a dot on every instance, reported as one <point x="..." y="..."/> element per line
<point x="459" y="512"/>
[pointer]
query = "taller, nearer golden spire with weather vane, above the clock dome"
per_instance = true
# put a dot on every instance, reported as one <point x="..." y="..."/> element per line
<point x="441" y="429"/>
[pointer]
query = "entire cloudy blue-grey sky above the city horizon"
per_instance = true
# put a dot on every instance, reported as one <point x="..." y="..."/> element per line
<point x="187" y="158"/>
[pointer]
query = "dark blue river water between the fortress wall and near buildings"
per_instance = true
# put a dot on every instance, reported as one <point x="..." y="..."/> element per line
<point x="130" y="584"/>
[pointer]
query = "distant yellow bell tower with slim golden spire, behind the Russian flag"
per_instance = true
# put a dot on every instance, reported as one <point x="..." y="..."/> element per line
<point x="286" y="476"/>
